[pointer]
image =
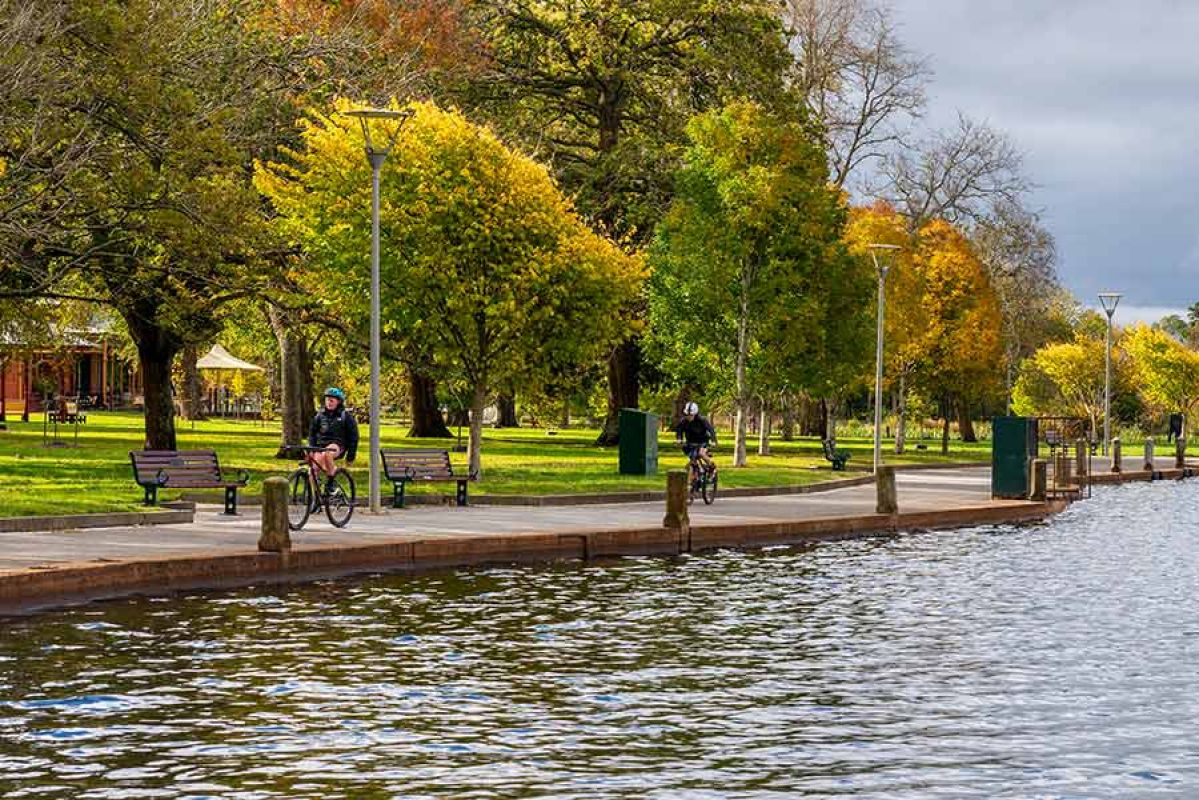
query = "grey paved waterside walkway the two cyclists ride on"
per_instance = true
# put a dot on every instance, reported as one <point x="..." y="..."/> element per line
<point x="935" y="490"/>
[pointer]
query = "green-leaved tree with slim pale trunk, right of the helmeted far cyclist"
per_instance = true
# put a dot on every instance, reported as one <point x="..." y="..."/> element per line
<point x="751" y="276"/>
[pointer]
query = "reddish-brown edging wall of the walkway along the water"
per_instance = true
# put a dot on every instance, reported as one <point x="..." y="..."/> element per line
<point x="23" y="591"/>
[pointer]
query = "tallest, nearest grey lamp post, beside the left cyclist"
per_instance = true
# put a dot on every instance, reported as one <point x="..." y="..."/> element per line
<point x="377" y="151"/>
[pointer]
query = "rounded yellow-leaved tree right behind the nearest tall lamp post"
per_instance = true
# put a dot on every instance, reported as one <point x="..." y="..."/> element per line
<point x="486" y="267"/>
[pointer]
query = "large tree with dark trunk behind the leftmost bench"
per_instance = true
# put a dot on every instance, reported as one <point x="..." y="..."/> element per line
<point x="159" y="219"/>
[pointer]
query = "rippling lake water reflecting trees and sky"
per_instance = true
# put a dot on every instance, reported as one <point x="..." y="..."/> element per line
<point x="1035" y="663"/>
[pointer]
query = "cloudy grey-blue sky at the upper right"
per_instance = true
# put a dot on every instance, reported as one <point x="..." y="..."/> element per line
<point x="1104" y="100"/>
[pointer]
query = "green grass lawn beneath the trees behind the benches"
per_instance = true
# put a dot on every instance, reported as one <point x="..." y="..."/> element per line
<point x="97" y="474"/>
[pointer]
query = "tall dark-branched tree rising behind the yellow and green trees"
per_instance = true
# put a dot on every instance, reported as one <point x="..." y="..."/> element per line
<point x="602" y="91"/>
